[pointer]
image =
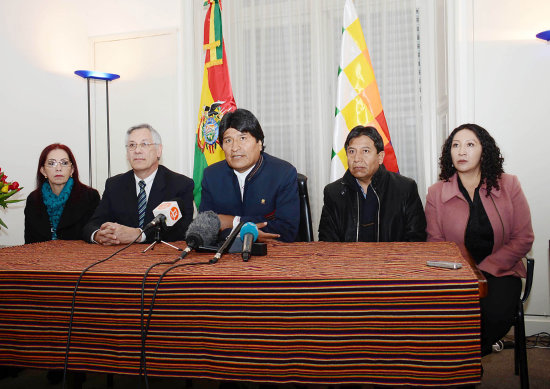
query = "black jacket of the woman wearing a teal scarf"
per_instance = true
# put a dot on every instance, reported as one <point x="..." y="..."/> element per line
<point x="79" y="207"/>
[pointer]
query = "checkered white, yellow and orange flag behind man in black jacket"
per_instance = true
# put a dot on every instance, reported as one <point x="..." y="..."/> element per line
<point x="358" y="101"/>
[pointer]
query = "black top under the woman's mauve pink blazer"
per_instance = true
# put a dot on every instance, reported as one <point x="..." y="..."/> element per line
<point x="479" y="236"/>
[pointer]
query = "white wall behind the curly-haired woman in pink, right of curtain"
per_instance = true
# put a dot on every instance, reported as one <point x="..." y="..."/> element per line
<point x="510" y="79"/>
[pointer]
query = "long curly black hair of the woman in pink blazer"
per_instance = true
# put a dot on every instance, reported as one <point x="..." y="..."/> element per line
<point x="491" y="159"/>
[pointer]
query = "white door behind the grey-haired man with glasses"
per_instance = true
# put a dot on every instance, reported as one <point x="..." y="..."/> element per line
<point x="146" y="92"/>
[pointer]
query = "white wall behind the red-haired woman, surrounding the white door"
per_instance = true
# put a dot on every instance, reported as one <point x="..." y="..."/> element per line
<point x="42" y="101"/>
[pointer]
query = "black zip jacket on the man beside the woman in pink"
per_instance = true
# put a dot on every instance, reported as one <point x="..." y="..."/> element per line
<point x="400" y="212"/>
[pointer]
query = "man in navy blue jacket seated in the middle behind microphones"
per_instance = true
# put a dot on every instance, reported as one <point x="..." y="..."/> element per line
<point x="251" y="185"/>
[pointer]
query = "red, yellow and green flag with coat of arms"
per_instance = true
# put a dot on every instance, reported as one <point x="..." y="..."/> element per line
<point x="216" y="96"/>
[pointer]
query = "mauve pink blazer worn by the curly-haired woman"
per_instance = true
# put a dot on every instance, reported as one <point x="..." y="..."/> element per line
<point x="447" y="213"/>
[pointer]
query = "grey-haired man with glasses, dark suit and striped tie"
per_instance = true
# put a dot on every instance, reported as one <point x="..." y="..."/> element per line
<point x="129" y="198"/>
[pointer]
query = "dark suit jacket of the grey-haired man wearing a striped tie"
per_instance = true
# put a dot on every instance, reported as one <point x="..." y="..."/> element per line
<point x="119" y="203"/>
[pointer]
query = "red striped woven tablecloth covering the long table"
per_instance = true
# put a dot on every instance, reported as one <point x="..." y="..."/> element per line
<point x="305" y="313"/>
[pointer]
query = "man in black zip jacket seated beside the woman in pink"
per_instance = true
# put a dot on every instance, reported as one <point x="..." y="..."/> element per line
<point x="369" y="203"/>
